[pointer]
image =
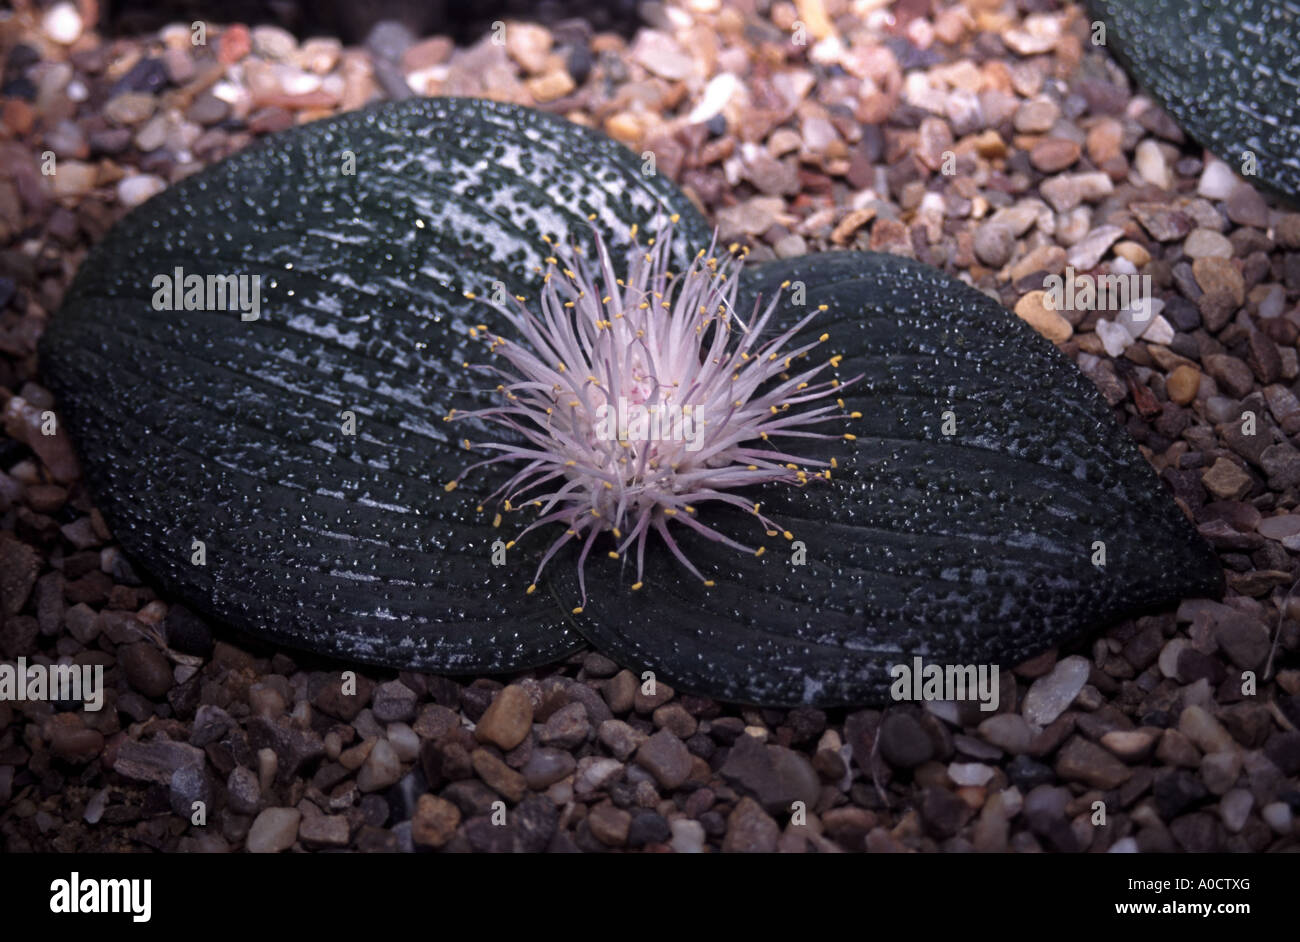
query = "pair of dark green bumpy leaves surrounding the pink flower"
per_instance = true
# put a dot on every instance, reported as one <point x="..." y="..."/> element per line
<point x="973" y="548"/>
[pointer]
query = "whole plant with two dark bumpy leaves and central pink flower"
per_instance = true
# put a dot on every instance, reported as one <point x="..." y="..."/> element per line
<point x="281" y="463"/>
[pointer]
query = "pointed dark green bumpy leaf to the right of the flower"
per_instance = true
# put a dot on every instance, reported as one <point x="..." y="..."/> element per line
<point x="967" y="549"/>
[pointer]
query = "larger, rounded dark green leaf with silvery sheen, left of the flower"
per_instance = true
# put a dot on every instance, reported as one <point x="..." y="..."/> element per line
<point x="198" y="426"/>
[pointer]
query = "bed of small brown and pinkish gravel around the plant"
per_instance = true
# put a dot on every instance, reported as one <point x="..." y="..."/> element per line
<point x="987" y="138"/>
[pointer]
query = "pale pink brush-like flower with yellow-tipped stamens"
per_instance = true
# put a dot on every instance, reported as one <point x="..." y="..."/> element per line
<point x="705" y="411"/>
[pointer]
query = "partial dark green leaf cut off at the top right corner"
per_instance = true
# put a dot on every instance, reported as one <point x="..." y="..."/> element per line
<point x="1228" y="72"/>
